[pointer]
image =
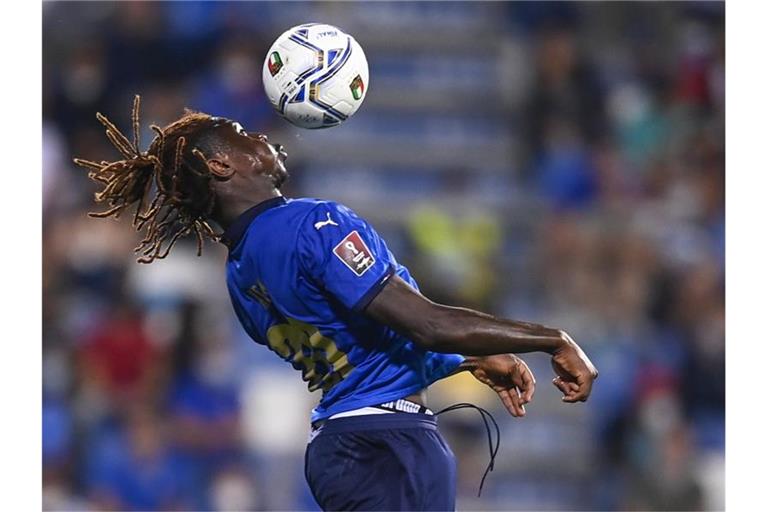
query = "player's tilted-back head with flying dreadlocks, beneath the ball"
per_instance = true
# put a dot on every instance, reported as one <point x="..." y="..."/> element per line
<point x="192" y="168"/>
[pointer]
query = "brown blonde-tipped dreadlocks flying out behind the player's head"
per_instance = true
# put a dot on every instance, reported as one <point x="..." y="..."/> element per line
<point x="169" y="183"/>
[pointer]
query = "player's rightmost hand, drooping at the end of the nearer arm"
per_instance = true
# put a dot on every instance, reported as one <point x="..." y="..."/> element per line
<point x="574" y="372"/>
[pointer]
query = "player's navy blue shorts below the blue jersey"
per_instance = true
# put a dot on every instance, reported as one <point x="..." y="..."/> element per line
<point x="395" y="461"/>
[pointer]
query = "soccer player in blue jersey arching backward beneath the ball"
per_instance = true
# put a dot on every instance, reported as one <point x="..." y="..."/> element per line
<point x="316" y="284"/>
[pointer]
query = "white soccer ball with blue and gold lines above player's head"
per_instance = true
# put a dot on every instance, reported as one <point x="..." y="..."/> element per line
<point x="315" y="75"/>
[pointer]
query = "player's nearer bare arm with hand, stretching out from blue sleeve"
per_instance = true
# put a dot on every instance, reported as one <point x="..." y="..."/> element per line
<point x="447" y="329"/>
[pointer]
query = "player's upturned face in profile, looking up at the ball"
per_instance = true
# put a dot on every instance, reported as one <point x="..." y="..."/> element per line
<point x="253" y="154"/>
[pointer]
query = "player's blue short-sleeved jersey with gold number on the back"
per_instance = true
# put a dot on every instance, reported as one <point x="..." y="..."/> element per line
<point x="300" y="272"/>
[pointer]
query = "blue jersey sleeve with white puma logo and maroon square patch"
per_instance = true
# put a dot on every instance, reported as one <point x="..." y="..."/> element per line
<point x="342" y="254"/>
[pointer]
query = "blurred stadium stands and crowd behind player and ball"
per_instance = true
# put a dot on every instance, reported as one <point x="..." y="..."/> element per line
<point x="561" y="163"/>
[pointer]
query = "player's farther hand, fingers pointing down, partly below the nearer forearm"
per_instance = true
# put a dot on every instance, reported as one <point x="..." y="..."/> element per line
<point x="509" y="377"/>
